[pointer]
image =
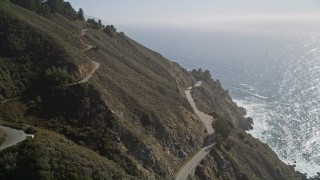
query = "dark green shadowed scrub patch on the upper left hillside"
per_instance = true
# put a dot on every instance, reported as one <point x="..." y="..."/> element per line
<point x="24" y="54"/>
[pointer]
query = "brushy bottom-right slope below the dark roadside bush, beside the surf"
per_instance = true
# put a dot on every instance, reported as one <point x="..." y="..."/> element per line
<point x="241" y="156"/>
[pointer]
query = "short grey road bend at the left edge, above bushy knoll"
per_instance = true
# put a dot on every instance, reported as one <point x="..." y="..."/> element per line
<point x="14" y="137"/>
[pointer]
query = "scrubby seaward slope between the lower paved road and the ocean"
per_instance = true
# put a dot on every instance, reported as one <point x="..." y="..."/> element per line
<point x="237" y="155"/>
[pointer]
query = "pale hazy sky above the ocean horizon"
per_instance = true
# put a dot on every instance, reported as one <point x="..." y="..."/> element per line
<point x="185" y="13"/>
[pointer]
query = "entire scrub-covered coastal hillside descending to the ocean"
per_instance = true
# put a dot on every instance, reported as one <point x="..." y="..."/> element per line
<point x="131" y="120"/>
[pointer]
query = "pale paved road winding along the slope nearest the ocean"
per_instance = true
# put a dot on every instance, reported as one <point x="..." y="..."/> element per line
<point x="207" y="121"/>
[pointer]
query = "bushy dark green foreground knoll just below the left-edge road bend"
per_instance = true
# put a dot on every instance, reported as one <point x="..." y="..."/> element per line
<point x="52" y="156"/>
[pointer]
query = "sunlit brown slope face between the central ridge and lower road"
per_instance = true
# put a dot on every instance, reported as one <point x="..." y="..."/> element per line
<point x="143" y="91"/>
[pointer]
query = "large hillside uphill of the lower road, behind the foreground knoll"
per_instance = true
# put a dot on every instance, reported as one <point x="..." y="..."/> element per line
<point x="132" y="111"/>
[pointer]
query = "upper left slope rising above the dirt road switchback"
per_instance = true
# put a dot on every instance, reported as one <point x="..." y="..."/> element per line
<point x="30" y="45"/>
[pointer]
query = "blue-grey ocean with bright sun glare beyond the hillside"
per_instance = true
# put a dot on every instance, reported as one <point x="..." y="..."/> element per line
<point x="270" y="68"/>
